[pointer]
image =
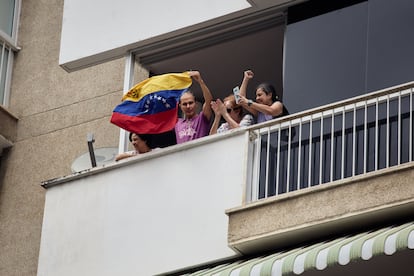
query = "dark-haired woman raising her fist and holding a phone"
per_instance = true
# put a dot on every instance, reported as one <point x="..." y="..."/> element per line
<point x="267" y="105"/>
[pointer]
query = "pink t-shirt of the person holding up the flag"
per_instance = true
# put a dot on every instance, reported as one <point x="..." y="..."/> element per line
<point x="190" y="129"/>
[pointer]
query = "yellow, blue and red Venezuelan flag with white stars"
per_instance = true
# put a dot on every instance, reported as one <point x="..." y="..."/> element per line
<point x="150" y="107"/>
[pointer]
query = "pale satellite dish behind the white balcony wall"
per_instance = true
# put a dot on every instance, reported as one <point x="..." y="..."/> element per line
<point x="102" y="156"/>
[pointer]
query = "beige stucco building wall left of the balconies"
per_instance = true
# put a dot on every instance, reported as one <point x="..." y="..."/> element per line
<point x="56" y="110"/>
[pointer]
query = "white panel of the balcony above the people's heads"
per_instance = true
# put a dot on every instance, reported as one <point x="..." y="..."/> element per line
<point x="91" y="27"/>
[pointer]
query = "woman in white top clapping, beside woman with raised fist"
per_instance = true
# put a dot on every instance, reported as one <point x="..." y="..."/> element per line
<point x="231" y="112"/>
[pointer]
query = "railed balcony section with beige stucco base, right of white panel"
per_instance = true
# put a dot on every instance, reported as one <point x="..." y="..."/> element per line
<point x="335" y="169"/>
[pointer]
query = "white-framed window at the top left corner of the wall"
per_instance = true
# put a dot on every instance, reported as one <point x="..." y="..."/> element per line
<point x="9" y="11"/>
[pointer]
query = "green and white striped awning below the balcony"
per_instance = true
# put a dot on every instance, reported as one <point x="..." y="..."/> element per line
<point x="321" y="255"/>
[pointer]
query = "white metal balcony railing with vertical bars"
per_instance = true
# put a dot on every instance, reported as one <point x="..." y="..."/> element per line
<point x="336" y="141"/>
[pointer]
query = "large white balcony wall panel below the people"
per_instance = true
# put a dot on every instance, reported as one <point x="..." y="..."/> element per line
<point x="147" y="216"/>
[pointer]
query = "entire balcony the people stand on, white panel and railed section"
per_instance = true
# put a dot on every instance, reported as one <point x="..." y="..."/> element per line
<point x="323" y="172"/>
